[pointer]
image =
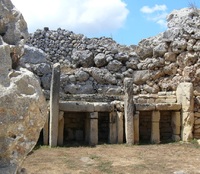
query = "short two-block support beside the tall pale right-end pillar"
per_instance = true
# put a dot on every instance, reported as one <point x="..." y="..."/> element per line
<point x="176" y="126"/>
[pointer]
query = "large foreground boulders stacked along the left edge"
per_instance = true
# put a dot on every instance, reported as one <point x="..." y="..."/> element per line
<point x="23" y="107"/>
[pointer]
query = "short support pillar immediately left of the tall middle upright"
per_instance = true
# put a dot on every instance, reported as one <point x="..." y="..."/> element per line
<point x="120" y="127"/>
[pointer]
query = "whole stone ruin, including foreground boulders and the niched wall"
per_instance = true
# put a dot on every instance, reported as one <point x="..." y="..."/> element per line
<point x="97" y="90"/>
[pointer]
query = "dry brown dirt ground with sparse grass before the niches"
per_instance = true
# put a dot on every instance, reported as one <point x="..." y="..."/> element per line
<point x="175" y="158"/>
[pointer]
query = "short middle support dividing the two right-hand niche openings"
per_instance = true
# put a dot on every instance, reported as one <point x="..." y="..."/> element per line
<point x="155" y="127"/>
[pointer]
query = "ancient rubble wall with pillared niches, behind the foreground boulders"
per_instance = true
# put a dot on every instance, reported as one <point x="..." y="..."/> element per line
<point x="114" y="93"/>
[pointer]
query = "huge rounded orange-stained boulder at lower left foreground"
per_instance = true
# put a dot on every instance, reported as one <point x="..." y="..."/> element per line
<point x="23" y="113"/>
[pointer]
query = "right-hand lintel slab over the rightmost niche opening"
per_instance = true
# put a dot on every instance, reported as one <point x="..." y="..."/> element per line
<point x="168" y="106"/>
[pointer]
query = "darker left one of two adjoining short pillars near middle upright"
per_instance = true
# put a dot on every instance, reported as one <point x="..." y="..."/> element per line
<point x="113" y="128"/>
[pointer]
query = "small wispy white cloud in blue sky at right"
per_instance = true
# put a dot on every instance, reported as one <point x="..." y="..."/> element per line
<point x="156" y="14"/>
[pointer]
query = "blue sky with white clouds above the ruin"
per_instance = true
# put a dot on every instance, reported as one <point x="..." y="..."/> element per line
<point x="126" y="21"/>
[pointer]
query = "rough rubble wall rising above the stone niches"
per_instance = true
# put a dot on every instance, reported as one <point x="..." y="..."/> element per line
<point x="100" y="65"/>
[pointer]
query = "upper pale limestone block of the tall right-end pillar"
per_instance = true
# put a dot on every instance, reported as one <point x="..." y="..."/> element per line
<point x="184" y="94"/>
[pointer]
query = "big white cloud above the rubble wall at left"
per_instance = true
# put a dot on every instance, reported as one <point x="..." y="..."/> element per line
<point x="82" y="16"/>
